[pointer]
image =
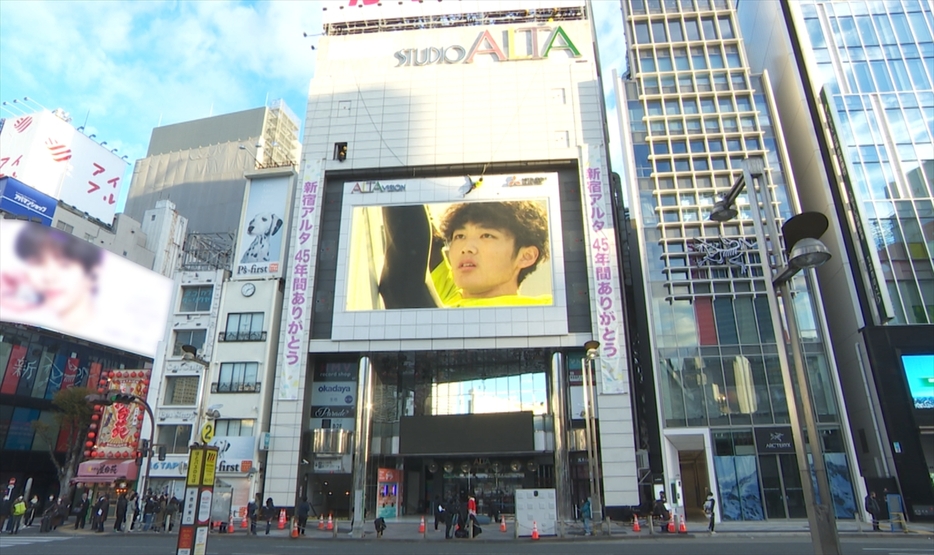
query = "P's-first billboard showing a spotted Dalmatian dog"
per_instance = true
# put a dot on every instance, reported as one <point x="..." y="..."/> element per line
<point x="259" y="246"/>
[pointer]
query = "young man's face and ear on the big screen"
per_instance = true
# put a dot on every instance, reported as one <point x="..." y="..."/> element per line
<point x="485" y="262"/>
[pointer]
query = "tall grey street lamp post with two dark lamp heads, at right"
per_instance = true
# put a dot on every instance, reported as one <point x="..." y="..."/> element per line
<point x="806" y="252"/>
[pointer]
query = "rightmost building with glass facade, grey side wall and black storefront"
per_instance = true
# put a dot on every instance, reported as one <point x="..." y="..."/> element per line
<point x="853" y="85"/>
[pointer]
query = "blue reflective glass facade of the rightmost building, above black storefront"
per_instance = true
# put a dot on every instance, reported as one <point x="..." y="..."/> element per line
<point x="876" y="62"/>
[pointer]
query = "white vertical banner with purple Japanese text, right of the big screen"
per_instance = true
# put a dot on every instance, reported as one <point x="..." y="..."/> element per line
<point x="605" y="283"/>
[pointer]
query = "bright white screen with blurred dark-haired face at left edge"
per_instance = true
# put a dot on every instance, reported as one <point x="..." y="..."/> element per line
<point x="54" y="280"/>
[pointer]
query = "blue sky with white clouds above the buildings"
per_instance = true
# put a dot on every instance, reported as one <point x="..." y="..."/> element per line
<point x="122" y="68"/>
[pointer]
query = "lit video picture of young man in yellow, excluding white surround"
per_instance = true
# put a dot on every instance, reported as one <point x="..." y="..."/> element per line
<point x="450" y="255"/>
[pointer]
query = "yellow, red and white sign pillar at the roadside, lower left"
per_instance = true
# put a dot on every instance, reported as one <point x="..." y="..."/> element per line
<point x="199" y="496"/>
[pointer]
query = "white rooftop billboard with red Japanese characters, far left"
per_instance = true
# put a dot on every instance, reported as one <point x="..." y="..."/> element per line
<point x="44" y="152"/>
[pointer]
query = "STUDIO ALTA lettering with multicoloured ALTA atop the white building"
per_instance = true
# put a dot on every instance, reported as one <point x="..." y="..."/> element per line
<point x="522" y="43"/>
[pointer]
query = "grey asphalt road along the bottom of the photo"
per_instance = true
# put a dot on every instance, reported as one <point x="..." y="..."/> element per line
<point x="721" y="544"/>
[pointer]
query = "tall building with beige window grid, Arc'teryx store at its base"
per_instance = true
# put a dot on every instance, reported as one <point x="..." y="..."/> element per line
<point x="692" y="112"/>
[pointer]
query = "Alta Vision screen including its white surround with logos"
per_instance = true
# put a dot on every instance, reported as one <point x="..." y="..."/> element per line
<point x="488" y="245"/>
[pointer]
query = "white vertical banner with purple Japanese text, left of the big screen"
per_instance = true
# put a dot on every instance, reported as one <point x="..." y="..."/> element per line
<point x="297" y="315"/>
